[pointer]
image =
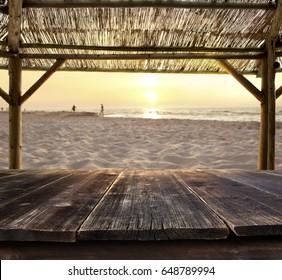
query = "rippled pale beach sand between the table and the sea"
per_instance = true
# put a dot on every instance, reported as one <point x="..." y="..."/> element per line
<point x="85" y="140"/>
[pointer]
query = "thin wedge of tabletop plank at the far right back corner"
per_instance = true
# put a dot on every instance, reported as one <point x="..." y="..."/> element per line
<point x="268" y="182"/>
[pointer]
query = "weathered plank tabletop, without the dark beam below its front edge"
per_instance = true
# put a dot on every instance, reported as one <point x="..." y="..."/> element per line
<point x="111" y="204"/>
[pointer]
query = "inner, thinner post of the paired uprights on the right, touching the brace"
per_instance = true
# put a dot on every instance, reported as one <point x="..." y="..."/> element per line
<point x="263" y="145"/>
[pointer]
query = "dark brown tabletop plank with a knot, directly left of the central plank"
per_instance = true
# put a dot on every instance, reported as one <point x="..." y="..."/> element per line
<point x="55" y="212"/>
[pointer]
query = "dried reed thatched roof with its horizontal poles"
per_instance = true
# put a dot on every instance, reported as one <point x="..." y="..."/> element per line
<point x="113" y="35"/>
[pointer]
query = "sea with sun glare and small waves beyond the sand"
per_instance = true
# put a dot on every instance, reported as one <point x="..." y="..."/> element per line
<point x="219" y="114"/>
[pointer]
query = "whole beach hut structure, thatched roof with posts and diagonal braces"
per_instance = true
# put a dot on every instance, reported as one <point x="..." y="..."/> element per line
<point x="164" y="36"/>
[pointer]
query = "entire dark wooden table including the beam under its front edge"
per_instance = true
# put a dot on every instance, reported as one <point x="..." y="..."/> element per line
<point x="140" y="214"/>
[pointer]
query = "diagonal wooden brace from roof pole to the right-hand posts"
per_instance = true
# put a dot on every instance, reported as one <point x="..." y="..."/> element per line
<point x="241" y="79"/>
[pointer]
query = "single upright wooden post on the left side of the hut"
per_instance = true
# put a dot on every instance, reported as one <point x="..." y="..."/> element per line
<point x="15" y="73"/>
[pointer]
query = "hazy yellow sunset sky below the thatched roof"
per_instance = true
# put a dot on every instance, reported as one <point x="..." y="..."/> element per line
<point x="88" y="90"/>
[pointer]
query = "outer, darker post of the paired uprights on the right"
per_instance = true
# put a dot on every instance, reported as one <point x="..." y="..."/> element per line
<point x="271" y="93"/>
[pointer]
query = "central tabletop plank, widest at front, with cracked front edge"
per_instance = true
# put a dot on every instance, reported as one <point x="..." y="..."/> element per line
<point x="151" y="205"/>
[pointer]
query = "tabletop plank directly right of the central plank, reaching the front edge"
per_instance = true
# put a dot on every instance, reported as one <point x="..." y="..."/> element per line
<point x="246" y="210"/>
